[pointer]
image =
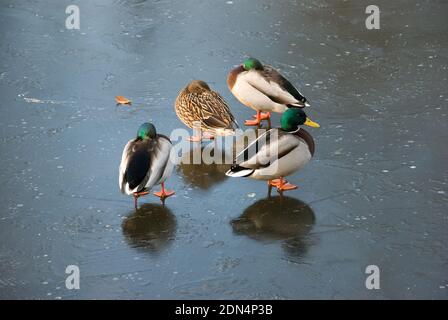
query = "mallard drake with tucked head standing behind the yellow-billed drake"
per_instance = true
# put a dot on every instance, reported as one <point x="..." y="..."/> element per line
<point x="263" y="89"/>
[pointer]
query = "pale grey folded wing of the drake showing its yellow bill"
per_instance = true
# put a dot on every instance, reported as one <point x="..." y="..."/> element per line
<point x="270" y="146"/>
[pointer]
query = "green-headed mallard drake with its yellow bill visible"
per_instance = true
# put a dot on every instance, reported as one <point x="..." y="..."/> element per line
<point x="278" y="152"/>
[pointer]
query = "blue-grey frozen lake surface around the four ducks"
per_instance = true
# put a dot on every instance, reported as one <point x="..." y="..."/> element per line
<point x="375" y="193"/>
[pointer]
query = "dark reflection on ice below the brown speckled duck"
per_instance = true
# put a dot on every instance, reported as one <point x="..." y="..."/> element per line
<point x="201" y="175"/>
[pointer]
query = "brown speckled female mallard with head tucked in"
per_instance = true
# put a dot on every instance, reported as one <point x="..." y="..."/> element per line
<point x="197" y="103"/>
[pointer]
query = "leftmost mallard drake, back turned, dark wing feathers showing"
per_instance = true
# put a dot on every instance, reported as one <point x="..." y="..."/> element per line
<point x="145" y="163"/>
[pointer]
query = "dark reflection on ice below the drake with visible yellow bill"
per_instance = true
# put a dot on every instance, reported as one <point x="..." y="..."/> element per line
<point x="278" y="218"/>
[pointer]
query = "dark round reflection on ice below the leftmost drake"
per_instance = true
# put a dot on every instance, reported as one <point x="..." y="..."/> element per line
<point x="151" y="227"/>
